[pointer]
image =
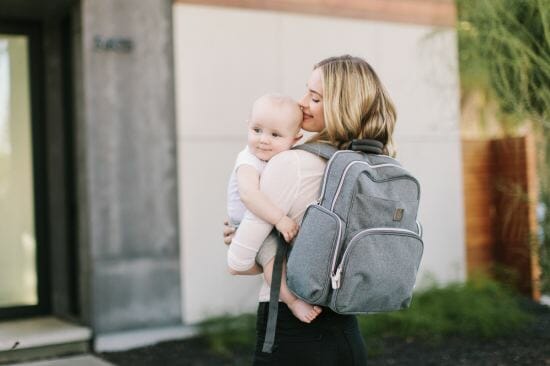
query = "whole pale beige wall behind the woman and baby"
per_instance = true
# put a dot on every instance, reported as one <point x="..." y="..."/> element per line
<point x="225" y="58"/>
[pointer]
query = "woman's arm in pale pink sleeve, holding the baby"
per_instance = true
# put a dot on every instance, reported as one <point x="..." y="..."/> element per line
<point x="279" y="182"/>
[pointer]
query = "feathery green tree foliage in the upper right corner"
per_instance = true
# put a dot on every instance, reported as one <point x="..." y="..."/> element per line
<point x="504" y="48"/>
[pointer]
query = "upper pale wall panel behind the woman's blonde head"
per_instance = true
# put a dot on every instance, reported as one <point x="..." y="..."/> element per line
<point x="417" y="64"/>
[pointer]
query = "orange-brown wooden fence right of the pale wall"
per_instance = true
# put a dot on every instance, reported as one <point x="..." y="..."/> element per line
<point x="500" y="196"/>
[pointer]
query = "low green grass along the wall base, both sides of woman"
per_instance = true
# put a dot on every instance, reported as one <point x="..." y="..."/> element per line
<point x="479" y="308"/>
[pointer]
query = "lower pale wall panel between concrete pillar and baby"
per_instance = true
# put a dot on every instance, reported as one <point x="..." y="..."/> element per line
<point x="208" y="289"/>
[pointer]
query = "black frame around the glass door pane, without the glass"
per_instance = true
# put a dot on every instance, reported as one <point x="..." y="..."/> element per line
<point x="33" y="30"/>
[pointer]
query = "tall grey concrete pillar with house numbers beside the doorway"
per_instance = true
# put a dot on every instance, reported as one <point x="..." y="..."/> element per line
<point x="127" y="166"/>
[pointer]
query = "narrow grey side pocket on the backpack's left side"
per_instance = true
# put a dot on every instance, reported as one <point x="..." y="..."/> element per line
<point x="308" y="273"/>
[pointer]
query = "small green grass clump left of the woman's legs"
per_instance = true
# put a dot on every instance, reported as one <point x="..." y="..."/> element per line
<point x="228" y="333"/>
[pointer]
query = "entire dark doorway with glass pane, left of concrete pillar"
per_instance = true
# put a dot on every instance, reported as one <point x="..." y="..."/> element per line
<point x="39" y="253"/>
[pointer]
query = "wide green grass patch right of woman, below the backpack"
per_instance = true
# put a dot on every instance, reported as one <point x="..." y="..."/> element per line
<point x="479" y="308"/>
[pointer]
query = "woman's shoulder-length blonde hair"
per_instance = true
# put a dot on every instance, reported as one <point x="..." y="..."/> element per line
<point x="356" y="104"/>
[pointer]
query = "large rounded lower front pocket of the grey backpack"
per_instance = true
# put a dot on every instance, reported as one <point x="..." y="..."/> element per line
<point x="378" y="271"/>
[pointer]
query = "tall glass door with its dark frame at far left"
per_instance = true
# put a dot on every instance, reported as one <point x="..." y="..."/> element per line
<point x="20" y="262"/>
